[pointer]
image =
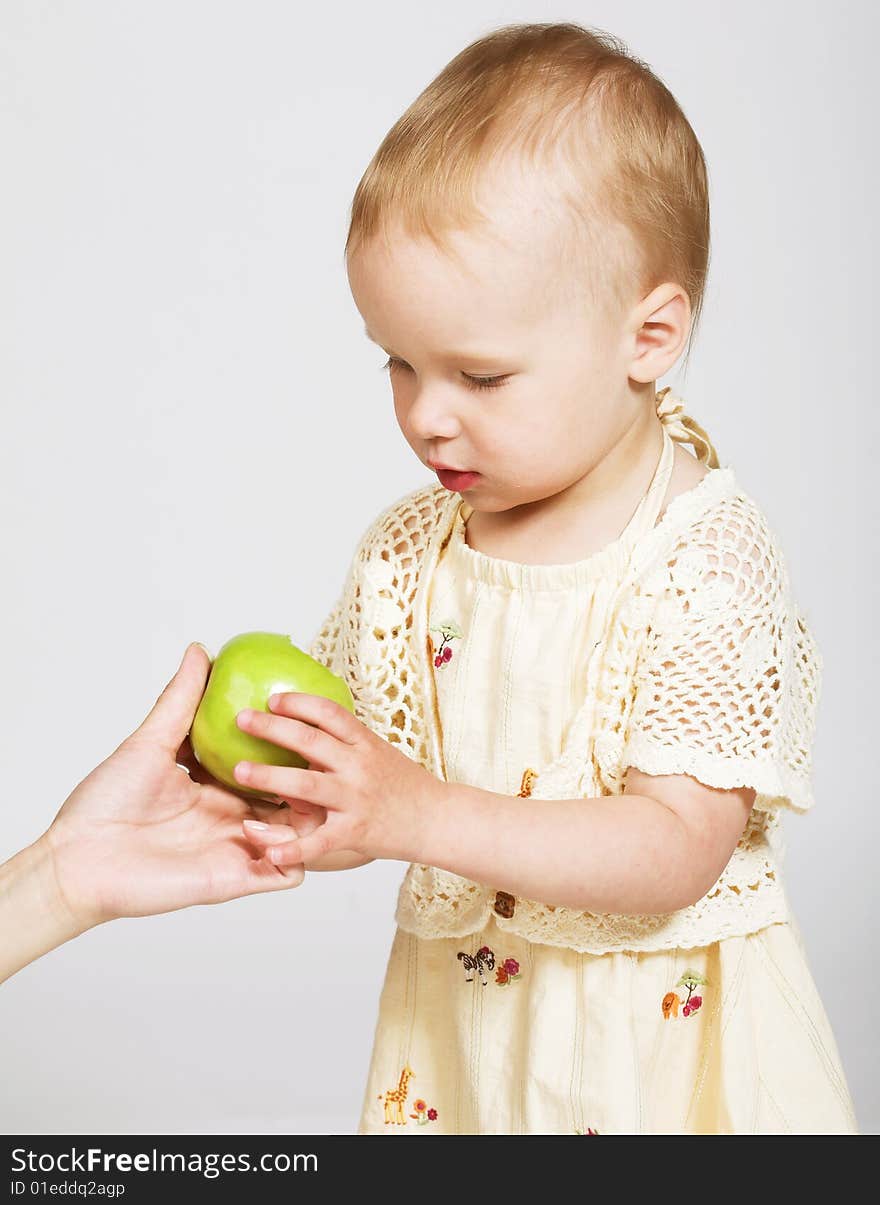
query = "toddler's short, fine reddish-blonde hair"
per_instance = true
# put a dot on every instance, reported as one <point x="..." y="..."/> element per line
<point x="577" y="102"/>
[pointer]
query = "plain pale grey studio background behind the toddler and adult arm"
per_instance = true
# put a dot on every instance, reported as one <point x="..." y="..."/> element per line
<point x="190" y="405"/>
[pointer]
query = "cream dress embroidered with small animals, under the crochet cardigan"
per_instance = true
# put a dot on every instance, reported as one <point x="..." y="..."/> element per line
<point x="496" y="1034"/>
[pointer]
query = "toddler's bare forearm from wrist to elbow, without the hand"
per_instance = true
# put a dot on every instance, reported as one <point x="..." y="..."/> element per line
<point x="617" y="854"/>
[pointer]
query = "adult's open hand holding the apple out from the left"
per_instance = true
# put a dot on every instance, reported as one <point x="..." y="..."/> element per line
<point x="149" y="831"/>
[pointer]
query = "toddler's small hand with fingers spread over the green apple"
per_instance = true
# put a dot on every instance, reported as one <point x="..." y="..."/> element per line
<point x="377" y="798"/>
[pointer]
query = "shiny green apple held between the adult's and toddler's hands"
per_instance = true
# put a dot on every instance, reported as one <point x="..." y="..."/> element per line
<point x="247" y="672"/>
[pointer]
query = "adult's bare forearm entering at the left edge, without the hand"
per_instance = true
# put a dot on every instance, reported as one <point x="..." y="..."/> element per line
<point x="33" y="915"/>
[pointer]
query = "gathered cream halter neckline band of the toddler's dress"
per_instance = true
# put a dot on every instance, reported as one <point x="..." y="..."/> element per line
<point x="606" y="562"/>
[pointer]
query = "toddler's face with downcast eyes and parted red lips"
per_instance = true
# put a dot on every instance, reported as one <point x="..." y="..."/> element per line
<point x="509" y="308"/>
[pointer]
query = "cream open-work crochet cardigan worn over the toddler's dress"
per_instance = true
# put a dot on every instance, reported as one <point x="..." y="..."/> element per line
<point x="706" y="667"/>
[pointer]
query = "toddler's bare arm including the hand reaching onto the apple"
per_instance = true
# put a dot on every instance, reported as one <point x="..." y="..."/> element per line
<point x="649" y="853"/>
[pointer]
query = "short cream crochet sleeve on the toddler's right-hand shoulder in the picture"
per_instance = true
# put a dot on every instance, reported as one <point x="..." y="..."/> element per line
<point x="728" y="687"/>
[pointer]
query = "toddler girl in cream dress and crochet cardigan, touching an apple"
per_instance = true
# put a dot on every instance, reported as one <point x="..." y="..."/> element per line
<point x="584" y="692"/>
